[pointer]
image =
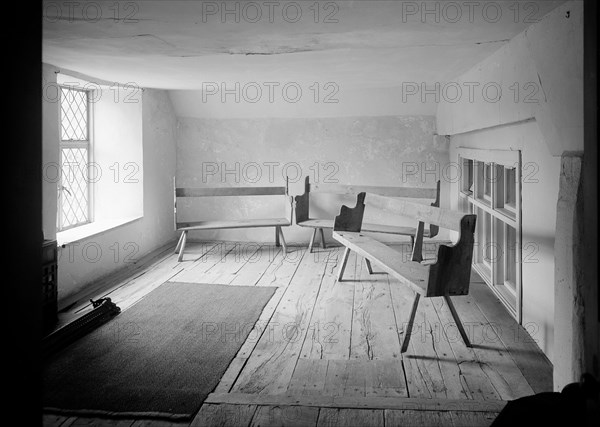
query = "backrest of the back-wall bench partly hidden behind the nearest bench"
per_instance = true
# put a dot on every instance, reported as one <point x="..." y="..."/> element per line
<point x="303" y="201"/>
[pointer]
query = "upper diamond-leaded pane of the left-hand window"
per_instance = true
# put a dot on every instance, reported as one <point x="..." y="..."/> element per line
<point x="73" y="114"/>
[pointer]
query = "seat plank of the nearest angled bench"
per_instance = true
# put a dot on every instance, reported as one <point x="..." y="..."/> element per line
<point x="406" y="271"/>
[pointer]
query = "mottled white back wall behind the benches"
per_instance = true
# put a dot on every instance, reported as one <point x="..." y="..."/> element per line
<point x="387" y="151"/>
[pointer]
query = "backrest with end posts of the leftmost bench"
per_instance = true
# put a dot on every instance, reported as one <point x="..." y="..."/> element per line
<point x="181" y="192"/>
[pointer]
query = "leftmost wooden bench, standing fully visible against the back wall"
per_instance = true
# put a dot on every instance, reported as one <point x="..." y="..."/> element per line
<point x="186" y="226"/>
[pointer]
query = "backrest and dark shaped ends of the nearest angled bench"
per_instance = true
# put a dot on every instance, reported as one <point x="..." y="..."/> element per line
<point x="451" y="273"/>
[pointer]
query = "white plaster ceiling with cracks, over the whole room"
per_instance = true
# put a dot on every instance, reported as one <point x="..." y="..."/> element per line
<point x="361" y="44"/>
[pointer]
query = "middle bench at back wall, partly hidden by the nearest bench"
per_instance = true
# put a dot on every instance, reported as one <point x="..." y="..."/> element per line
<point x="303" y="218"/>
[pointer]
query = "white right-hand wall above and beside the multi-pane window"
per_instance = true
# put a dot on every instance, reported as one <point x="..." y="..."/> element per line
<point x="545" y="62"/>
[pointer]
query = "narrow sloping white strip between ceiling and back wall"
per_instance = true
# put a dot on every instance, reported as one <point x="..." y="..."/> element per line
<point x="299" y="99"/>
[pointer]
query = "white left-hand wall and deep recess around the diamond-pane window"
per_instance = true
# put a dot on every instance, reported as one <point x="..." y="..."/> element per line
<point x="89" y="260"/>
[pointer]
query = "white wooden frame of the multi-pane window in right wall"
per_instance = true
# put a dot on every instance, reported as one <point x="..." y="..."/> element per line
<point x="501" y="216"/>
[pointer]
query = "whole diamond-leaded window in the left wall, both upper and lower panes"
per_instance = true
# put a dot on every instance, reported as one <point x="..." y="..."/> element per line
<point x="74" y="189"/>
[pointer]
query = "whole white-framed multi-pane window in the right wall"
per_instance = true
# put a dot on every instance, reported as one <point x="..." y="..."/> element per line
<point x="490" y="187"/>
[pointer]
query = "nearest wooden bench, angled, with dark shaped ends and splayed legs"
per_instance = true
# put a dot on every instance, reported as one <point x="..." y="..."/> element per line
<point x="449" y="274"/>
